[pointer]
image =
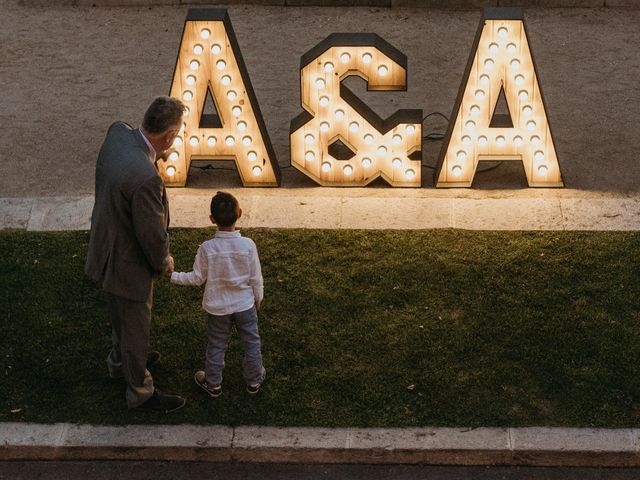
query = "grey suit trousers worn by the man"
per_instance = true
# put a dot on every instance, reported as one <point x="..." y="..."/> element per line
<point x="131" y="327"/>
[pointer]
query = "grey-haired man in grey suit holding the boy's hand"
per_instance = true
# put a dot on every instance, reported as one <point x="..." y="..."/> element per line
<point x="129" y="243"/>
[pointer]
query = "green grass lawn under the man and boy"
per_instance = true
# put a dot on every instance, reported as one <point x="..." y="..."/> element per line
<point x="359" y="328"/>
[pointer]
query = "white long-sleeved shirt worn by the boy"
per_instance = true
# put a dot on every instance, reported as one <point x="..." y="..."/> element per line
<point x="230" y="265"/>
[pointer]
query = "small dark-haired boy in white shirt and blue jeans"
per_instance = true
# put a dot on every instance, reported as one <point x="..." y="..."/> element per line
<point x="229" y="264"/>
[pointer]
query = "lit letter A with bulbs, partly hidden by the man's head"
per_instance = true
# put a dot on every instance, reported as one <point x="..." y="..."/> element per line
<point x="210" y="63"/>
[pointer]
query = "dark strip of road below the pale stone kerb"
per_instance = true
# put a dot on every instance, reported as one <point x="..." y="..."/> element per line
<point x="189" y="471"/>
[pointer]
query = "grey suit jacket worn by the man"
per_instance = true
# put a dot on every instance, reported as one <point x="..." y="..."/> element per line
<point x="129" y="241"/>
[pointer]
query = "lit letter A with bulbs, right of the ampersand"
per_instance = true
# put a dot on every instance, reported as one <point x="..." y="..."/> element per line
<point x="500" y="62"/>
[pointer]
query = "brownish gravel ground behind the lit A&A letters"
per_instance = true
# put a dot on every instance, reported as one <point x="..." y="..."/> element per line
<point x="68" y="72"/>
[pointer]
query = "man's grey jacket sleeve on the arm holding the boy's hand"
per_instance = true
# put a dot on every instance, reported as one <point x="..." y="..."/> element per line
<point x="148" y="214"/>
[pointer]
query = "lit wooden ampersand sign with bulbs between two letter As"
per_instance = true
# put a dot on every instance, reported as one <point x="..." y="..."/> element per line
<point x="336" y="121"/>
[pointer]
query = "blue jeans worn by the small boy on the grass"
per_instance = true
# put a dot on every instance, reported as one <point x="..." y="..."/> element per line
<point x="218" y="331"/>
